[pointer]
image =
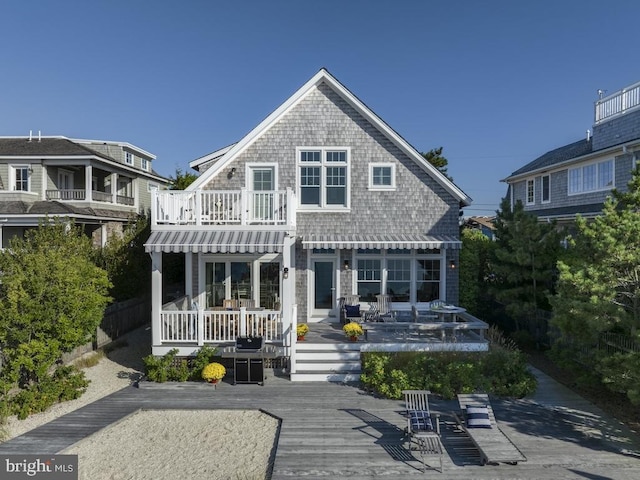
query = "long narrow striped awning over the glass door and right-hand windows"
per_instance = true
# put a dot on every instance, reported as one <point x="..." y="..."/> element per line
<point x="407" y="241"/>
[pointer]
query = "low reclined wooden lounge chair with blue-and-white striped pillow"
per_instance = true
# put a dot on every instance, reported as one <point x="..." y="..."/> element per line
<point x="480" y="425"/>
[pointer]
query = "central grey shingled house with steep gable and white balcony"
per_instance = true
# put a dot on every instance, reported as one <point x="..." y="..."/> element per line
<point x="321" y="200"/>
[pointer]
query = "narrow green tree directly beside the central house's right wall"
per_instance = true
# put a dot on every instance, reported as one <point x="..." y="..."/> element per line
<point x="474" y="270"/>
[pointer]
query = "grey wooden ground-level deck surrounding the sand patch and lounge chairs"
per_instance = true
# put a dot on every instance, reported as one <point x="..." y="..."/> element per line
<point x="337" y="430"/>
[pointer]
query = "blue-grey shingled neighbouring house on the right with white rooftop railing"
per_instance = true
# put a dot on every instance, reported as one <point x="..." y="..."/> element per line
<point x="577" y="178"/>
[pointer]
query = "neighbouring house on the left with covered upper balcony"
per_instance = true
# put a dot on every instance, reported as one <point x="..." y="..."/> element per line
<point x="98" y="184"/>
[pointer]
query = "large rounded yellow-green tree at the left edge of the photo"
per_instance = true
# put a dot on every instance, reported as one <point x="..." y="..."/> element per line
<point x="52" y="298"/>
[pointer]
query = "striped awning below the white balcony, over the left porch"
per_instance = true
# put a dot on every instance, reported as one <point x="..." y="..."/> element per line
<point x="206" y="241"/>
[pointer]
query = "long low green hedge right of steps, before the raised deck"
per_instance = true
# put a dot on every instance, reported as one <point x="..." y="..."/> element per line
<point x="500" y="371"/>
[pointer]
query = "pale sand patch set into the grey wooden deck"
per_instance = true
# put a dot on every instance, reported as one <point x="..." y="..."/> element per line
<point x="180" y="444"/>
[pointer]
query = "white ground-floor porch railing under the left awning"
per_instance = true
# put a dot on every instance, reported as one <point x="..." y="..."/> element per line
<point x="219" y="326"/>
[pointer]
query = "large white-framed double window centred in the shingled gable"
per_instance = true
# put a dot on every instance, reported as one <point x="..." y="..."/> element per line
<point x="323" y="177"/>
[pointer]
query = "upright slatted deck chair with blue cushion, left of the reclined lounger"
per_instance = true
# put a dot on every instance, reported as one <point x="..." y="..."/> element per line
<point x="421" y="427"/>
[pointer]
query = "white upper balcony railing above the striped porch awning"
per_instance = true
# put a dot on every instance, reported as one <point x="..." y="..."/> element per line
<point x="212" y="207"/>
